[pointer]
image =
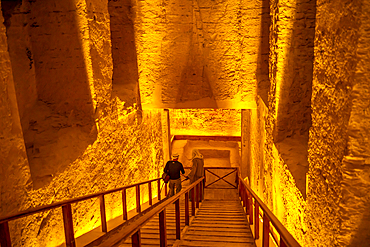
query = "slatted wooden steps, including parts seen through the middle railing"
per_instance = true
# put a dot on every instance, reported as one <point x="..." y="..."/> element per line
<point x="217" y="223"/>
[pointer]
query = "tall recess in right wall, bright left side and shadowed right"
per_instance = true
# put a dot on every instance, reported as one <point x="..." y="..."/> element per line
<point x="291" y="63"/>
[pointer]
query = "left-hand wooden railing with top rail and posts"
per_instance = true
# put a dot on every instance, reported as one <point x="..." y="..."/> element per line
<point x="66" y="206"/>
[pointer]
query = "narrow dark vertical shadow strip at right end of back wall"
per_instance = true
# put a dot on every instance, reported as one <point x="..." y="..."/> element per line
<point x="262" y="73"/>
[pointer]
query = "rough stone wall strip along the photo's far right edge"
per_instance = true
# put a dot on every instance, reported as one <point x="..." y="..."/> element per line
<point x="356" y="173"/>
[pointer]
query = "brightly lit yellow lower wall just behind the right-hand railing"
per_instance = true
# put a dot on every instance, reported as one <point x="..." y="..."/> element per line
<point x="271" y="179"/>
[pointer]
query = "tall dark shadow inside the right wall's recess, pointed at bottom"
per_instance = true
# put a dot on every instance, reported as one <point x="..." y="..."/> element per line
<point x="291" y="131"/>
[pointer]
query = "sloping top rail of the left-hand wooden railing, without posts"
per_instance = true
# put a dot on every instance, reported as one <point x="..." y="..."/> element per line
<point x="69" y="201"/>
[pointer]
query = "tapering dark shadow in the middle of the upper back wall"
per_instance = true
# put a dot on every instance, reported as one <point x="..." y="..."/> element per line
<point x="195" y="82"/>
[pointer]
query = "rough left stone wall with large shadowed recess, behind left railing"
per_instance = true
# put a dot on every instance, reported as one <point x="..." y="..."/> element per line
<point x="78" y="139"/>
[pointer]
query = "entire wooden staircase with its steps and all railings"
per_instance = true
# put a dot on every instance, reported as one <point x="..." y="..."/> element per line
<point x="220" y="220"/>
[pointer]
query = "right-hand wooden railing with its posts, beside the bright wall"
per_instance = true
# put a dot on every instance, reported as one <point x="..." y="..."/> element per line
<point x="286" y="239"/>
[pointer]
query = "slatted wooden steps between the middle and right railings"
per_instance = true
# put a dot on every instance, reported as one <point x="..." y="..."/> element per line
<point x="219" y="223"/>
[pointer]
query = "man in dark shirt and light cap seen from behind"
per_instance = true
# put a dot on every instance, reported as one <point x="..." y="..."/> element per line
<point x="173" y="169"/>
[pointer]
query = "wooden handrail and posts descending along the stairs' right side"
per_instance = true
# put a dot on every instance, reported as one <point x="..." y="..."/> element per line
<point x="286" y="239"/>
